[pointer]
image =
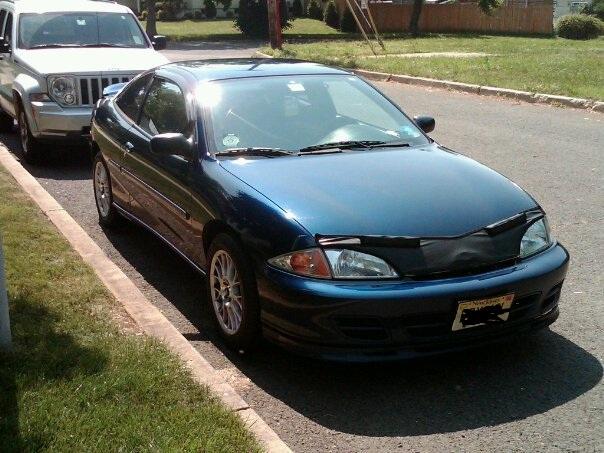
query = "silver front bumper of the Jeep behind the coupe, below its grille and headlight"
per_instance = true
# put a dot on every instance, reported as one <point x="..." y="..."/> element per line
<point x="51" y="121"/>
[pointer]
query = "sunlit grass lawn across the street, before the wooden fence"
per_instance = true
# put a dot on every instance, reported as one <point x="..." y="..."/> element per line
<point x="545" y="65"/>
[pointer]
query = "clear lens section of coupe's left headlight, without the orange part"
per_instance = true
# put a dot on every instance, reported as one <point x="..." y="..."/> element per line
<point x="357" y="265"/>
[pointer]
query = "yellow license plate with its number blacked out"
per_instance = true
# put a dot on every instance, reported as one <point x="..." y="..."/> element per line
<point x="474" y="313"/>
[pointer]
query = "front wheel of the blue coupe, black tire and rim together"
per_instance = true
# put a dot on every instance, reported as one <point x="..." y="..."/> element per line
<point x="232" y="293"/>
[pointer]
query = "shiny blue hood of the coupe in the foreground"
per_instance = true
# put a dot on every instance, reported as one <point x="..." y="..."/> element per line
<point x="418" y="192"/>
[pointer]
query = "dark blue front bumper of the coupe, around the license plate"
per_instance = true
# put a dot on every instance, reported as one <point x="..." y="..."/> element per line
<point x="364" y="321"/>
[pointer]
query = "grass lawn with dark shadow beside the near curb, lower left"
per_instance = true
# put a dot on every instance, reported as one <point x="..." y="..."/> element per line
<point x="79" y="381"/>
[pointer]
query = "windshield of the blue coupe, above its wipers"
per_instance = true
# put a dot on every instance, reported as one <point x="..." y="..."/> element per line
<point x="295" y="113"/>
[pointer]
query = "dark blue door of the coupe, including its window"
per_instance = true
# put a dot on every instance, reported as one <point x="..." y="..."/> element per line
<point x="158" y="185"/>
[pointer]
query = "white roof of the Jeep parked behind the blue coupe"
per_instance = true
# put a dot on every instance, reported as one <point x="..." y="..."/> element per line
<point x="47" y="6"/>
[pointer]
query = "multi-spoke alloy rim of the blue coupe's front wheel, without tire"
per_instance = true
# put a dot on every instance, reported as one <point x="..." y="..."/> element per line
<point x="226" y="293"/>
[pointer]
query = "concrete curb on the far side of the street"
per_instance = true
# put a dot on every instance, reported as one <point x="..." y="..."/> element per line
<point x="525" y="96"/>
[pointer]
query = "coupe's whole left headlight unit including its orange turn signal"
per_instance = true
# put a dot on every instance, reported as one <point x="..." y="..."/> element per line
<point x="338" y="264"/>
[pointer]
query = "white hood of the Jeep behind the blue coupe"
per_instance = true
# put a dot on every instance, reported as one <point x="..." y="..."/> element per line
<point x="90" y="60"/>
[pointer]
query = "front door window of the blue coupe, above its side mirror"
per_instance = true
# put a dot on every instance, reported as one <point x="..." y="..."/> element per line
<point x="165" y="109"/>
